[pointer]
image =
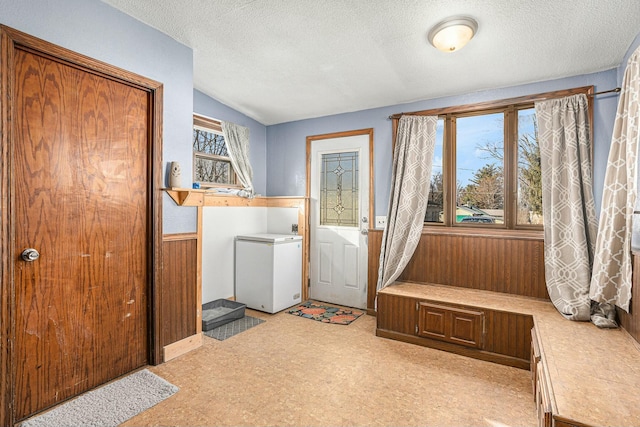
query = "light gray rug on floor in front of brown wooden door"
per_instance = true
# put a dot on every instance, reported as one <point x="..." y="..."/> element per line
<point x="110" y="404"/>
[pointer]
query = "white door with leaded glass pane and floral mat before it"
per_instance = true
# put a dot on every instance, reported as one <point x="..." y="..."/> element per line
<point x="339" y="218"/>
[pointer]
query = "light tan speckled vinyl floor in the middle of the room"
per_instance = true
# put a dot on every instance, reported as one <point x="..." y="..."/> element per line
<point x="291" y="371"/>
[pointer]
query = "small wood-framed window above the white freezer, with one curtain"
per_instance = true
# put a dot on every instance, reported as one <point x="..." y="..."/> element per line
<point x="211" y="163"/>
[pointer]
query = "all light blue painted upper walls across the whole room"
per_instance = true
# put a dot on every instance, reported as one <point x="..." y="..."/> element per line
<point x="95" y="29"/>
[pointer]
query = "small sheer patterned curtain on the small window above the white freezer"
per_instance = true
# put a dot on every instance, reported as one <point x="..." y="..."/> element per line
<point x="237" y="139"/>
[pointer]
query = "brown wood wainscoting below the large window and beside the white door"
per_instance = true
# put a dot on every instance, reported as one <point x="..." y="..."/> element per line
<point x="505" y="261"/>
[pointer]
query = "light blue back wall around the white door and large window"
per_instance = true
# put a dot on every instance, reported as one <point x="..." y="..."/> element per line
<point x="286" y="163"/>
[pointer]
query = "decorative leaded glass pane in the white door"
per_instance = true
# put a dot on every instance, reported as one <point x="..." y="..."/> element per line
<point x="339" y="189"/>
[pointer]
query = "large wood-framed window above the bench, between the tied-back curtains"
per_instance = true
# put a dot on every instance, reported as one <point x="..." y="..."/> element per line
<point x="486" y="166"/>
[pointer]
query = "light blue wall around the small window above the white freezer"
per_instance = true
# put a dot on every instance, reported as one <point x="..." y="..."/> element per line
<point x="205" y="105"/>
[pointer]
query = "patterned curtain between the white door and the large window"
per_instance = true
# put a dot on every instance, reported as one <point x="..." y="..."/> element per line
<point x="412" y="163"/>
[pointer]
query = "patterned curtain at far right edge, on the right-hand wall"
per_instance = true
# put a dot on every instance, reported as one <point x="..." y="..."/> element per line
<point x="611" y="282"/>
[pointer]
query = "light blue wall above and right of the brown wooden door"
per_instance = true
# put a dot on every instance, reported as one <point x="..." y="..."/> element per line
<point x="97" y="30"/>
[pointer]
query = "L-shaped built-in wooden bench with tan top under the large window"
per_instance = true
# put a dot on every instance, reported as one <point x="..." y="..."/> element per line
<point x="582" y="375"/>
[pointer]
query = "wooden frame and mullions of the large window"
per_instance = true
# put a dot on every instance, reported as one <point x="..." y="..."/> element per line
<point x="510" y="107"/>
